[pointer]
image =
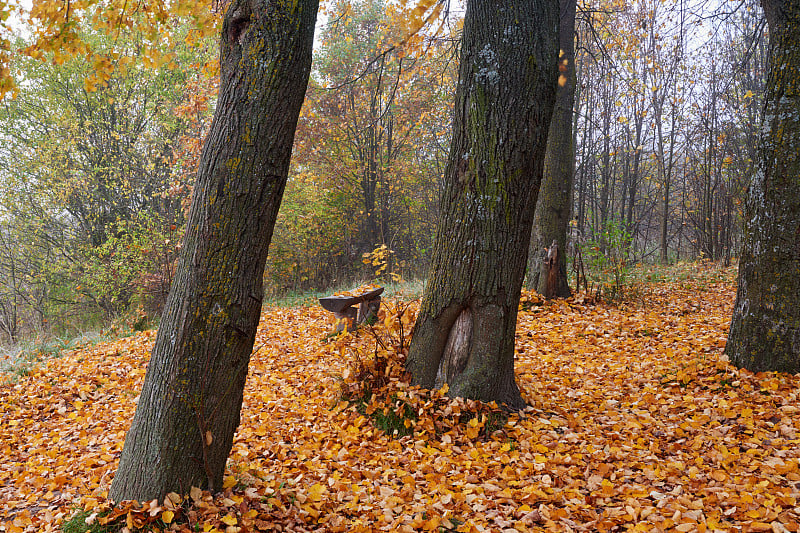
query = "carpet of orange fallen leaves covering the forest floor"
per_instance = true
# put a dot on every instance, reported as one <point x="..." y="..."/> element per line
<point x="636" y="423"/>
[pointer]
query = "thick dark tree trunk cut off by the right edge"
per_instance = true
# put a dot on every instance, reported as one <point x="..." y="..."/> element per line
<point x="765" y="330"/>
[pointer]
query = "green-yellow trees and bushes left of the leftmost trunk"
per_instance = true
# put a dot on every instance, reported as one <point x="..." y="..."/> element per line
<point x="92" y="210"/>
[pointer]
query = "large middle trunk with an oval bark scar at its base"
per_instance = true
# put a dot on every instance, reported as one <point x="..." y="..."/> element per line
<point x="507" y="81"/>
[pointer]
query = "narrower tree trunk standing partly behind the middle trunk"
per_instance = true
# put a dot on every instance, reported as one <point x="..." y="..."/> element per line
<point x="551" y="218"/>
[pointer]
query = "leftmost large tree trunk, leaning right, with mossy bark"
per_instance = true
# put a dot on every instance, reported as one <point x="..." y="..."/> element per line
<point x="189" y="408"/>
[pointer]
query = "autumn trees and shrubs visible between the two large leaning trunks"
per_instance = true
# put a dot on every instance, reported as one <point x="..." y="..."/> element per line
<point x="373" y="128"/>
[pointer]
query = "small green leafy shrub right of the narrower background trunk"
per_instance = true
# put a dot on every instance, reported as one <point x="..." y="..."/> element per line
<point x="606" y="256"/>
